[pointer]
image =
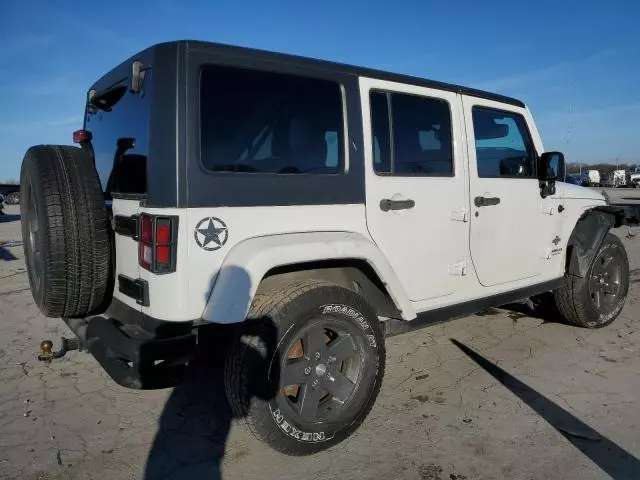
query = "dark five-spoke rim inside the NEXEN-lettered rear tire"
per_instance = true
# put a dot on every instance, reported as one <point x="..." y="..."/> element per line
<point x="321" y="370"/>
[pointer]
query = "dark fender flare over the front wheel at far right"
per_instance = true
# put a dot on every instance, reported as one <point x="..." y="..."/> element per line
<point x="587" y="237"/>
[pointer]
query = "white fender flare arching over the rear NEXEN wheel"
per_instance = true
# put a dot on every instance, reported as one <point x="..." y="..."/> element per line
<point x="345" y="258"/>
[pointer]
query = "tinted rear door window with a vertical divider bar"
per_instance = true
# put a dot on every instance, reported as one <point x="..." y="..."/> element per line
<point x="421" y="131"/>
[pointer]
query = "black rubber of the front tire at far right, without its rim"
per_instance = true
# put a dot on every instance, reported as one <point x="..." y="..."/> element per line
<point x="573" y="298"/>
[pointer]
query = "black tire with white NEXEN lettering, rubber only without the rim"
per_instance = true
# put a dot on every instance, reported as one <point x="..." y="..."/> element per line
<point x="251" y="386"/>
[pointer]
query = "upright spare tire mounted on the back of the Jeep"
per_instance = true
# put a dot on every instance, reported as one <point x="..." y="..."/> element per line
<point x="65" y="231"/>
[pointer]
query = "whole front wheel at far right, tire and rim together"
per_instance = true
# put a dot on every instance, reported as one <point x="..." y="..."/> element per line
<point x="597" y="299"/>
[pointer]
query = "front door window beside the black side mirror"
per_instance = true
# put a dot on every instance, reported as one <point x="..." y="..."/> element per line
<point x="503" y="144"/>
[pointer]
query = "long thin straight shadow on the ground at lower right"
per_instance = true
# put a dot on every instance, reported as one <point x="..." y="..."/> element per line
<point x="610" y="457"/>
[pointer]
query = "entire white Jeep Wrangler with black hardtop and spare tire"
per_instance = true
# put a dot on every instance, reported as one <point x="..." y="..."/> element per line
<point x="314" y="206"/>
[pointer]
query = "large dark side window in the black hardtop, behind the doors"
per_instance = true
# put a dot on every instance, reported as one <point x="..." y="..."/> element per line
<point x="264" y="122"/>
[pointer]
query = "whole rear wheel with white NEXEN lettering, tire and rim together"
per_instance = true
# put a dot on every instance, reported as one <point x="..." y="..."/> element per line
<point x="307" y="367"/>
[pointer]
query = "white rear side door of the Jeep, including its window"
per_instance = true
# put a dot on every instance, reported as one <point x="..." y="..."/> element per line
<point x="415" y="183"/>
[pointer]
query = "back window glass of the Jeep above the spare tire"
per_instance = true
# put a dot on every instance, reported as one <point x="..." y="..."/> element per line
<point x="119" y="123"/>
